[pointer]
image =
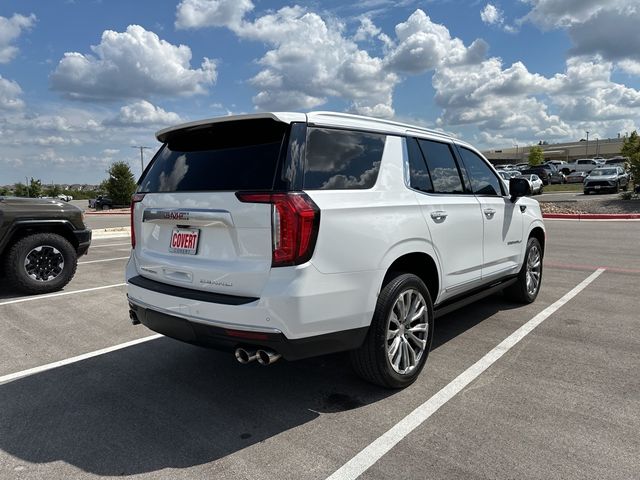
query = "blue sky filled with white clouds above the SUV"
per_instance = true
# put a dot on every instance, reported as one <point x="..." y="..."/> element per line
<point x="82" y="81"/>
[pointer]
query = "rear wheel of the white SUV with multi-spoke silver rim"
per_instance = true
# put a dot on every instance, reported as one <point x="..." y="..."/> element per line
<point x="399" y="338"/>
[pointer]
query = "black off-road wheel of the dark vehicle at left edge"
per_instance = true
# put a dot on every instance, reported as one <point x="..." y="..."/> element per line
<point x="40" y="263"/>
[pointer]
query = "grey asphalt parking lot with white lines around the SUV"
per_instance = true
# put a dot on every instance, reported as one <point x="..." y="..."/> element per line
<point x="563" y="401"/>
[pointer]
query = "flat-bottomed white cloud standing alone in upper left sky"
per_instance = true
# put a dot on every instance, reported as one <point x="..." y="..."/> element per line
<point x="131" y="64"/>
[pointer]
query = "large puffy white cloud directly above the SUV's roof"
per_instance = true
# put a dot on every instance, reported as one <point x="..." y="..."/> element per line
<point x="327" y="64"/>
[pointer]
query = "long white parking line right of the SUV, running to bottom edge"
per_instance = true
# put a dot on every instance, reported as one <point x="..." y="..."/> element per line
<point x="379" y="447"/>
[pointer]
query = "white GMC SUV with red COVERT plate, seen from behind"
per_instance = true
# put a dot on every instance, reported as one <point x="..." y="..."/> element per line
<point x="294" y="235"/>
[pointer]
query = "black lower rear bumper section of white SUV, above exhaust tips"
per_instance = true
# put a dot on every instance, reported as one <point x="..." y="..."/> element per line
<point x="229" y="339"/>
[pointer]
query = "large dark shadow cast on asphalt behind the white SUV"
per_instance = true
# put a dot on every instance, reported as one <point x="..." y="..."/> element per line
<point x="165" y="404"/>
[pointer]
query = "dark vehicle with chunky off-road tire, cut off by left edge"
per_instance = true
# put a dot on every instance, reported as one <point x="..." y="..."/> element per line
<point x="40" y="242"/>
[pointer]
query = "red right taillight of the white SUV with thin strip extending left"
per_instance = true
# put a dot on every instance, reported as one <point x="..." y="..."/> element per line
<point x="295" y="220"/>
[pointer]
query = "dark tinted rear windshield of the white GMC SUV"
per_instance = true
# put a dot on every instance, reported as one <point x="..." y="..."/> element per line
<point x="240" y="155"/>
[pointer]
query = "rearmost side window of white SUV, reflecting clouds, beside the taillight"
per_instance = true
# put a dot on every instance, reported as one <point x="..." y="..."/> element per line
<point x="340" y="159"/>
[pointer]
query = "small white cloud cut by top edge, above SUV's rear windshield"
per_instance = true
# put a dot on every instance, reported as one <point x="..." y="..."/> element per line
<point x="211" y="13"/>
